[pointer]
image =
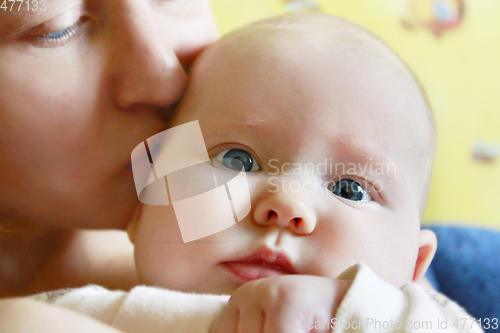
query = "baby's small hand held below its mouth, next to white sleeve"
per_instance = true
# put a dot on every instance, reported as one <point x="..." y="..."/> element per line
<point x="288" y="304"/>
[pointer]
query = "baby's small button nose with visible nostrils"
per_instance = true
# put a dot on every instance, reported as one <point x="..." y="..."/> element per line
<point x="286" y="210"/>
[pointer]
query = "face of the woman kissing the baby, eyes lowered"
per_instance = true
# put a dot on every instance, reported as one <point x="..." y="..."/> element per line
<point x="81" y="84"/>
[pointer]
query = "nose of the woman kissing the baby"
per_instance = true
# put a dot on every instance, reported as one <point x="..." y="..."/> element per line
<point x="146" y="65"/>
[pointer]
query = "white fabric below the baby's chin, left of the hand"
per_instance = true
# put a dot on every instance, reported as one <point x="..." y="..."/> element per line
<point x="145" y="309"/>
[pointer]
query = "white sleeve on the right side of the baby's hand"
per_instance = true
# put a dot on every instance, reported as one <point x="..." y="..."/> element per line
<point x="374" y="305"/>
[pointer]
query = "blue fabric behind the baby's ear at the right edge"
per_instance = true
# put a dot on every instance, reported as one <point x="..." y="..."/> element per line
<point x="466" y="268"/>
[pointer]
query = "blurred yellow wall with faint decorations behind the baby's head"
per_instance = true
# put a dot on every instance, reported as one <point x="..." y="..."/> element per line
<point x="453" y="46"/>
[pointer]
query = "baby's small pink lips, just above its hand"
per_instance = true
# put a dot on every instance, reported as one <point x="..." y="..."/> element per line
<point x="261" y="264"/>
